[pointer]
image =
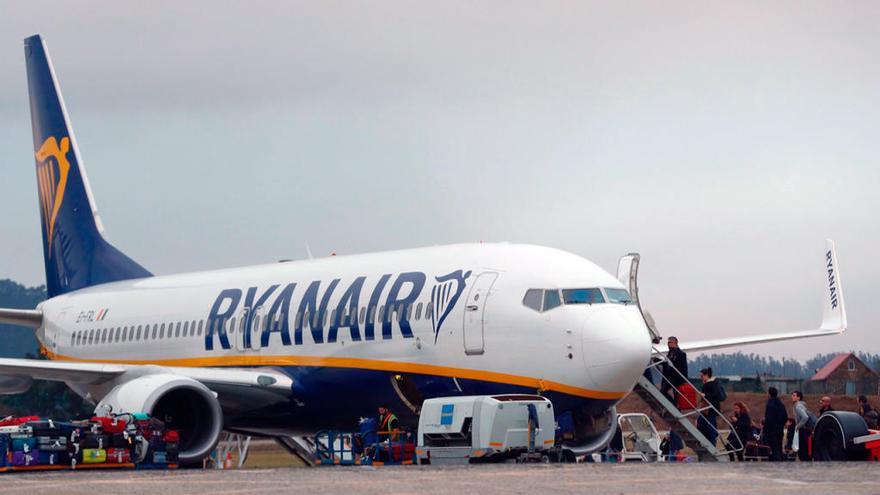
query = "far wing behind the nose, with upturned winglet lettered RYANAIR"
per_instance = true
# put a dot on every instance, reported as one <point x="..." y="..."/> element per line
<point x="833" y="315"/>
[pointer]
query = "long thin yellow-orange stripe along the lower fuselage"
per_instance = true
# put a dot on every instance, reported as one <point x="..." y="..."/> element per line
<point x="366" y="364"/>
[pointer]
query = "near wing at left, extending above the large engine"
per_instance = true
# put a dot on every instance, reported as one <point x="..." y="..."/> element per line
<point x="97" y="373"/>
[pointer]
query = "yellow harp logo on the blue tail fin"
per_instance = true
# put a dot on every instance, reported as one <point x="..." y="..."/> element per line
<point x="52" y="170"/>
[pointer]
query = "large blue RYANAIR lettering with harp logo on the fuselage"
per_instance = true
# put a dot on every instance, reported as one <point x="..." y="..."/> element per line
<point x="248" y="318"/>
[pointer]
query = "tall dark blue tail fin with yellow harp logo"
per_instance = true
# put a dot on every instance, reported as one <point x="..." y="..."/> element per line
<point x="75" y="251"/>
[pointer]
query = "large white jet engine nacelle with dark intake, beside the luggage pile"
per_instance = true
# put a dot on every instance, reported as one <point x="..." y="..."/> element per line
<point x="184" y="404"/>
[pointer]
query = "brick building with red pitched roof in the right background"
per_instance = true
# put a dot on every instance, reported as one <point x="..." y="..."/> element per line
<point x="846" y="374"/>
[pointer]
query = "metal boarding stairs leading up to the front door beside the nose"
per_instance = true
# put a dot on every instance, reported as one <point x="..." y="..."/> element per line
<point x="685" y="423"/>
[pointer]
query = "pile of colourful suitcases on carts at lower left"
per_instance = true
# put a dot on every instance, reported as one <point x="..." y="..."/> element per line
<point x="120" y="441"/>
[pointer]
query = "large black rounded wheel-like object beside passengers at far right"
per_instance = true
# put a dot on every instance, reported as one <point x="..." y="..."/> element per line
<point x="834" y="434"/>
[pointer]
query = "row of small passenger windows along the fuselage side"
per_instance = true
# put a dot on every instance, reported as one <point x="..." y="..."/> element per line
<point x="196" y="328"/>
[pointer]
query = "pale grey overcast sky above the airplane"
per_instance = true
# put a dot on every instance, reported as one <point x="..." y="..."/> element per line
<point x="722" y="141"/>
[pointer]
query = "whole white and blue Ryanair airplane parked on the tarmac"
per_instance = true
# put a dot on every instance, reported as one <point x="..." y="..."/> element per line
<point x="293" y="347"/>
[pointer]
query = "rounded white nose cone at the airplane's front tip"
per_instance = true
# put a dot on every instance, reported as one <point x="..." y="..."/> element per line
<point x="617" y="347"/>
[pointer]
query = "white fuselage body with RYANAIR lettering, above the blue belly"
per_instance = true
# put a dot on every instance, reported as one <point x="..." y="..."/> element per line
<point x="593" y="351"/>
